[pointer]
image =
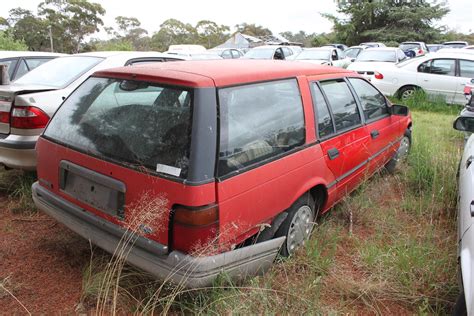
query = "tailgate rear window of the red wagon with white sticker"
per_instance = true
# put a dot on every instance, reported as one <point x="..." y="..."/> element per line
<point x="130" y="122"/>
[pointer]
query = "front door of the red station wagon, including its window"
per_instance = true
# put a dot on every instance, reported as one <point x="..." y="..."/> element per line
<point x="381" y="126"/>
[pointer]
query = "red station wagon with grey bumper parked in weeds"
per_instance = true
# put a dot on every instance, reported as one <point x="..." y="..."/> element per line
<point x="209" y="167"/>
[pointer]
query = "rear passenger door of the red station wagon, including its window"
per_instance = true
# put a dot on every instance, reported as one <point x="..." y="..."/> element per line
<point x="346" y="144"/>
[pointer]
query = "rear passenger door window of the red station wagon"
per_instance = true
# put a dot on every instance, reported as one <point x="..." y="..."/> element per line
<point x="342" y="103"/>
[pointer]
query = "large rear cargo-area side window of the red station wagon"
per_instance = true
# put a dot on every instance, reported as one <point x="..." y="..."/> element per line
<point x="259" y="121"/>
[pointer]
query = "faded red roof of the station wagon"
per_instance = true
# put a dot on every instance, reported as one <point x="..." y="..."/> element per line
<point x="209" y="73"/>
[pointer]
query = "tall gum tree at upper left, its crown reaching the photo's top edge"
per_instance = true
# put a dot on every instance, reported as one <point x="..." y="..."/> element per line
<point x="71" y="21"/>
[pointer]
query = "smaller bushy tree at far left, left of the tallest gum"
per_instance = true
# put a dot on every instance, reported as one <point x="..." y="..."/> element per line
<point x="29" y="29"/>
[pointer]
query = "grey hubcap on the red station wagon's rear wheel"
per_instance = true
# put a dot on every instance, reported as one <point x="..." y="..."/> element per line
<point x="300" y="228"/>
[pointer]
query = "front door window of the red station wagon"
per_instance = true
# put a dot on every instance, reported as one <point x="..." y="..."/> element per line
<point x="373" y="102"/>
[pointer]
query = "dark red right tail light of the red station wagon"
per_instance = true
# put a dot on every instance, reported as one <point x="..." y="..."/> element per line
<point x="195" y="229"/>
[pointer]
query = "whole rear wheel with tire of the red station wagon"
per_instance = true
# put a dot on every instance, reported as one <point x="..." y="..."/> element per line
<point x="298" y="225"/>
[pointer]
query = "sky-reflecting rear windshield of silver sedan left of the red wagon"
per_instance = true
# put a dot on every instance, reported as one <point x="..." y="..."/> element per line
<point x="59" y="72"/>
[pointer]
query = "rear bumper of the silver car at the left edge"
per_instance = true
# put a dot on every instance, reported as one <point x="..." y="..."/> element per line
<point x="18" y="152"/>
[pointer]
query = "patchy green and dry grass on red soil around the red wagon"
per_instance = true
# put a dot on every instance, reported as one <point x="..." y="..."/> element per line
<point x="388" y="248"/>
